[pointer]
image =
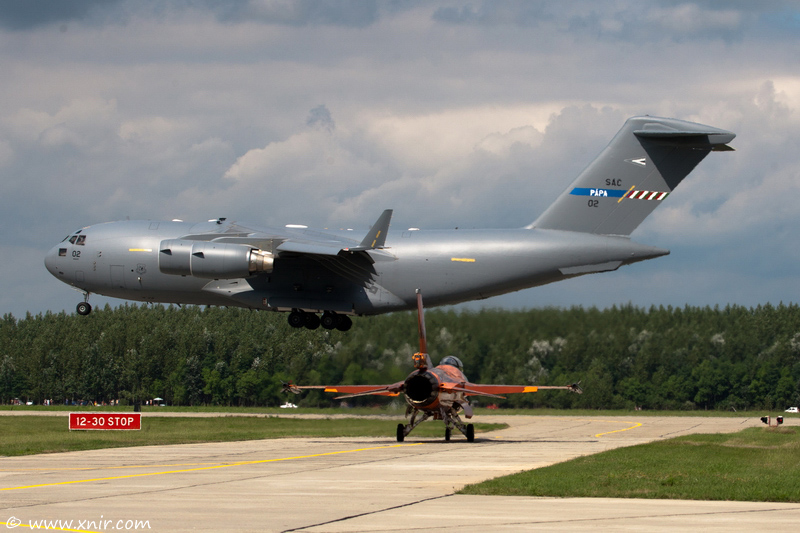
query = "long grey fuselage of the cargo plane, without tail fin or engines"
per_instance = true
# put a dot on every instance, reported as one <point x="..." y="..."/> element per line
<point x="126" y="259"/>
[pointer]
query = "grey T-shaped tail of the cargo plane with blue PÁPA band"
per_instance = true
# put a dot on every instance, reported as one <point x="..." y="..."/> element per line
<point x="638" y="169"/>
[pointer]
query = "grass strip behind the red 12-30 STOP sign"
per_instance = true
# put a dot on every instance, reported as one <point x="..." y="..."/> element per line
<point x="26" y="435"/>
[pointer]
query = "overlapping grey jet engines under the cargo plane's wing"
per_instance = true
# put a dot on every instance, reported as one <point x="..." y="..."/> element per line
<point x="212" y="260"/>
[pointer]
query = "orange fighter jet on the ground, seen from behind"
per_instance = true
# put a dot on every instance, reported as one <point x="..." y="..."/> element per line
<point x="439" y="392"/>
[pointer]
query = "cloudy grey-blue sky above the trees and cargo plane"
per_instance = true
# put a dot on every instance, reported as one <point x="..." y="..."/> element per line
<point x="454" y="114"/>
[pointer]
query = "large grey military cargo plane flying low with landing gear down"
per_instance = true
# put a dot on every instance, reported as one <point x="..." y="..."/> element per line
<point x="308" y="272"/>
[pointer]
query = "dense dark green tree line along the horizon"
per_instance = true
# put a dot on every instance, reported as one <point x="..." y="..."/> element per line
<point x="625" y="357"/>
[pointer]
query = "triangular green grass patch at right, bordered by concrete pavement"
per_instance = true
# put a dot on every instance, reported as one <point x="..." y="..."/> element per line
<point x="756" y="464"/>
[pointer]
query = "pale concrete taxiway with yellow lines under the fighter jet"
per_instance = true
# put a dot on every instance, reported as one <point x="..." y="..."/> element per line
<point x="361" y="484"/>
